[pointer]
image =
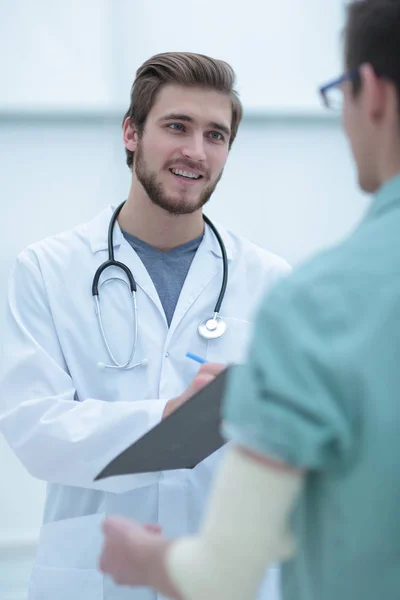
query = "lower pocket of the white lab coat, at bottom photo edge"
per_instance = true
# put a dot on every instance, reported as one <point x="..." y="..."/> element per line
<point x="48" y="583"/>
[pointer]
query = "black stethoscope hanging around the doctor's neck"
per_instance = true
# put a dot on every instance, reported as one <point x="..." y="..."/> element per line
<point x="209" y="329"/>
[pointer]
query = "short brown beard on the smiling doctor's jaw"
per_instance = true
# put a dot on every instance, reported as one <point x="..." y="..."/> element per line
<point x="154" y="189"/>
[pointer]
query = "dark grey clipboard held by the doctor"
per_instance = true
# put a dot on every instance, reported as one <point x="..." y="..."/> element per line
<point x="181" y="441"/>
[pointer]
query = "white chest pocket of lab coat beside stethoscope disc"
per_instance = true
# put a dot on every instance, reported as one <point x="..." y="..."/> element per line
<point x="231" y="347"/>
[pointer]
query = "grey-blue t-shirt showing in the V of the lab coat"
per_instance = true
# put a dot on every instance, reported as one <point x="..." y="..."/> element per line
<point x="168" y="270"/>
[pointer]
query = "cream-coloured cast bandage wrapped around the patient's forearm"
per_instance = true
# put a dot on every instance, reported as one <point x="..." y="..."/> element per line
<point x="244" y="530"/>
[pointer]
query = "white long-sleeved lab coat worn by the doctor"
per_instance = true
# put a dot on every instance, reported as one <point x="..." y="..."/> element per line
<point x="65" y="419"/>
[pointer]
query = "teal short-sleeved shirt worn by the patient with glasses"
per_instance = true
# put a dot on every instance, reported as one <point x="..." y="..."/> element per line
<point x="321" y="391"/>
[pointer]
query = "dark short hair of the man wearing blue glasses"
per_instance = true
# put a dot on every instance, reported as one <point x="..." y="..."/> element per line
<point x="372" y="35"/>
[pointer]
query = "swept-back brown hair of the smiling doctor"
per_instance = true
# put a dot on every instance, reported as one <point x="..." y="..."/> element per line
<point x="180" y="68"/>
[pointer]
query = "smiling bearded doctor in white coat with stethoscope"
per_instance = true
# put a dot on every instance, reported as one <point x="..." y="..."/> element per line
<point x="65" y="417"/>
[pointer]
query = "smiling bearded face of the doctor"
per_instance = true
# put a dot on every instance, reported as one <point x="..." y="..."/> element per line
<point x="181" y="154"/>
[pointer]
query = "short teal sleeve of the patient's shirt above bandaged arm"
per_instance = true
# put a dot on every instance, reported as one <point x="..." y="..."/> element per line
<point x="292" y="399"/>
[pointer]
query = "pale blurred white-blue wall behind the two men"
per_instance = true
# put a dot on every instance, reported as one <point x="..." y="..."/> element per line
<point x="66" y="69"/>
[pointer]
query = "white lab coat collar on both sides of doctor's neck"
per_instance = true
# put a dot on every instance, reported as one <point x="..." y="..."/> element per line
<point x="98" y="235"/>
